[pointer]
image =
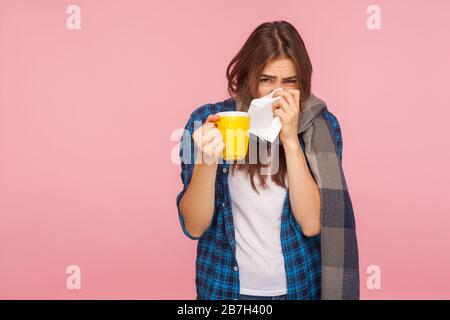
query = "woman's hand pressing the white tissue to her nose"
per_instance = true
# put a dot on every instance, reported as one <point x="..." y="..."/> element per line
<point x="288" y="109"/>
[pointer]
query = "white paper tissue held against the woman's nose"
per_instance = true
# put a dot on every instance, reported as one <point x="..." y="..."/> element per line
<point x="262" y="122"/>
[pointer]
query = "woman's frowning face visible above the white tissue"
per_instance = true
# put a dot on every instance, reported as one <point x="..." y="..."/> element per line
<point x="278" y="73"/>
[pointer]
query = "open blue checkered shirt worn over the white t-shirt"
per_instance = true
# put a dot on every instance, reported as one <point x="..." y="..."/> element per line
<point x="217" y="270"/>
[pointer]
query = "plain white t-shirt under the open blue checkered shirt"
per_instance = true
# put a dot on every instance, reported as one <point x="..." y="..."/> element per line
<point x="257" y="224"/>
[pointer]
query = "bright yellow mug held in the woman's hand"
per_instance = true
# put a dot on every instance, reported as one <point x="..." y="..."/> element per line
<point x="234" y="126"/>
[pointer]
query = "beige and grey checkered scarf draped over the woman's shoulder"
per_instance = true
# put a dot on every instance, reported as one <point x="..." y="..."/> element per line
<point x="339" y="247"/>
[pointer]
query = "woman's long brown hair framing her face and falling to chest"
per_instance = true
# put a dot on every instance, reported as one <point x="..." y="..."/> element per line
<point x="269" y="41"/>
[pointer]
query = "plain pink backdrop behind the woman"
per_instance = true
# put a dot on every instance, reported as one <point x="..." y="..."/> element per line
<point x="86" y="118"/>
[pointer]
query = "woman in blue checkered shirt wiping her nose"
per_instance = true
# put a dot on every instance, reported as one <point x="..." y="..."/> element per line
<point x="259" y="234"/>
